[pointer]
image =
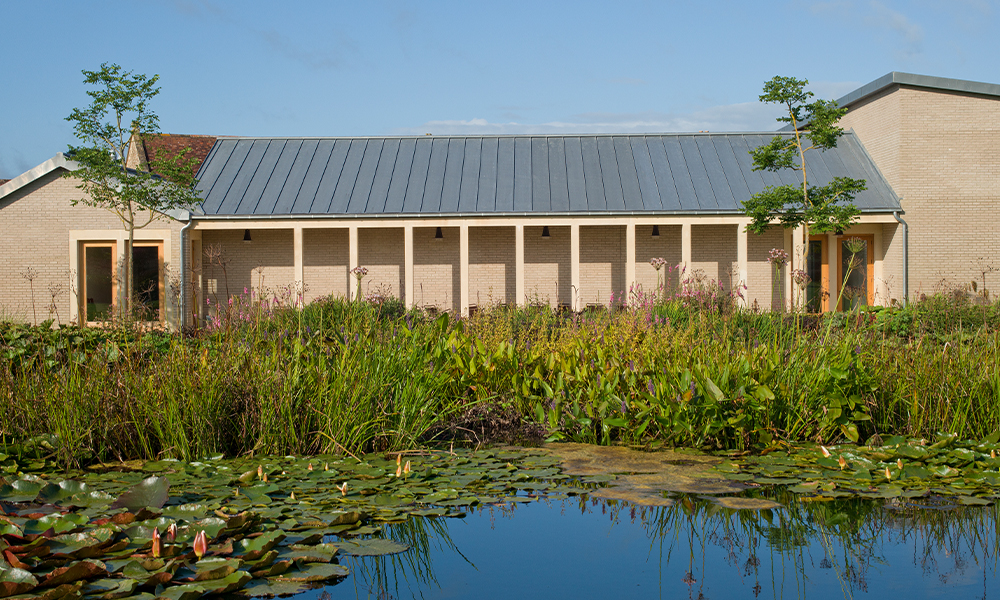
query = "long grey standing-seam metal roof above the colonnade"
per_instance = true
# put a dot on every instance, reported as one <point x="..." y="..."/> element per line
<point x="496" y="175"/>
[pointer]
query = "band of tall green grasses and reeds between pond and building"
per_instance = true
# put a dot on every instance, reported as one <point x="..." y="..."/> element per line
<point x="338" y="376"/>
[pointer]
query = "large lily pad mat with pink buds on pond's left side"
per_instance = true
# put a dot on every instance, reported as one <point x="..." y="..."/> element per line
<point x="257" y="527"/>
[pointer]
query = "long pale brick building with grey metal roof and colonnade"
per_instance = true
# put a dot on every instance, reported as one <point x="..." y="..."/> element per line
<point x="463" y="221"/>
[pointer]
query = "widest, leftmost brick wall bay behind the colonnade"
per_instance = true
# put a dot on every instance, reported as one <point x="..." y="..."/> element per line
<point x="263" y="267"/>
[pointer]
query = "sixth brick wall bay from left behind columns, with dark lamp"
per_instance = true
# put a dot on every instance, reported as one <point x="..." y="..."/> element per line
<point x="546" y="266"/>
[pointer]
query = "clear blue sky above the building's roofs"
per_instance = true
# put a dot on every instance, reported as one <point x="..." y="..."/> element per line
<point x="388" y="67"/>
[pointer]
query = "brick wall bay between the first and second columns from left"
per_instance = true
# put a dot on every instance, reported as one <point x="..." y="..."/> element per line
<point x="325" y="258"/>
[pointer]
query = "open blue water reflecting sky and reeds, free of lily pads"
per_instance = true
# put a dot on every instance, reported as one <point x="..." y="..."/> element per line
<point x="555" y="551"/>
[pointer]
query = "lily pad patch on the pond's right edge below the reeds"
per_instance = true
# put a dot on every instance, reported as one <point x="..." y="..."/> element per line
<point x="968" y="472"/>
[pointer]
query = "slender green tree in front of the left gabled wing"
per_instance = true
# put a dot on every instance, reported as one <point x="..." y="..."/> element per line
<point x="119" y="110"/>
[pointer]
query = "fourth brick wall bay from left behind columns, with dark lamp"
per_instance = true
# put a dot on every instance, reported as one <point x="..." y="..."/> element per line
<point x="436" y="268"/>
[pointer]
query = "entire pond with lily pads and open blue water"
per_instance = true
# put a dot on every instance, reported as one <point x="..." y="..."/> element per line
<point x="565" y="520"/>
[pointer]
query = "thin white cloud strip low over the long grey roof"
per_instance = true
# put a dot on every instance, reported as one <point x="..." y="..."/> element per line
<point x="749" y="116"/>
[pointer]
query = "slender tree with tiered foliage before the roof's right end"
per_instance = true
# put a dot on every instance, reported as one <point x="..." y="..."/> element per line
<point x="823" y="208"/>
